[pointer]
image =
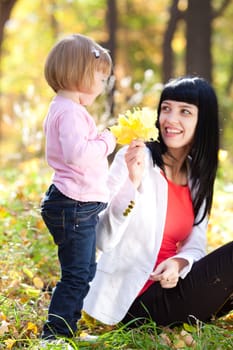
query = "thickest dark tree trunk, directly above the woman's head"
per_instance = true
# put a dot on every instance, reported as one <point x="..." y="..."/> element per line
<point x="198" y="50"/>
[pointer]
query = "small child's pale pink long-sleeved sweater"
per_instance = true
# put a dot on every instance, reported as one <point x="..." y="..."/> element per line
<point x="76" y="151"/>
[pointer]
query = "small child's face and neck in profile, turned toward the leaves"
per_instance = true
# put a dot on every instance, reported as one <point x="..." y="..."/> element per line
<point x="100" y="80"/>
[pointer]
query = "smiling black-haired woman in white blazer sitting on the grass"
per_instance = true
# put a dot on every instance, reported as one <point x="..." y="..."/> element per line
<point x="153" y="232"/>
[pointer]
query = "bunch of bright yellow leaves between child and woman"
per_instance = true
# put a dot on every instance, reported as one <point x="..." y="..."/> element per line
<point x="136" y="124"/>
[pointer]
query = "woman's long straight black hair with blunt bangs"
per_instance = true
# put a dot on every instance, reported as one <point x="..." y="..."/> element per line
<point x="204" y="150"/>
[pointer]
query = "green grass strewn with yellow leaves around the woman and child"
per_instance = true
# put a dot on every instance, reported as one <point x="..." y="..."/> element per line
<point x="29" y="270"/>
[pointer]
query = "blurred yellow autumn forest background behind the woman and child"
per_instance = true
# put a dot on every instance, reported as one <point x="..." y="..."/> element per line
<point x="150" y="42"/>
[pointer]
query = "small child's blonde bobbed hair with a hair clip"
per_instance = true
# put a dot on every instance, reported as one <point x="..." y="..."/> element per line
<point x="72" y="62"/>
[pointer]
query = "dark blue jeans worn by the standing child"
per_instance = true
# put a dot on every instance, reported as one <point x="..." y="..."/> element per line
<point x="72" y="225"/>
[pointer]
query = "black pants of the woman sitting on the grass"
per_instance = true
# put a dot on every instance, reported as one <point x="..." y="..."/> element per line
<point x="205" y="292"/>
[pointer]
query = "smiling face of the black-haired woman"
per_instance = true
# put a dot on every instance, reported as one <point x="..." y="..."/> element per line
<point x="178" y="122"/>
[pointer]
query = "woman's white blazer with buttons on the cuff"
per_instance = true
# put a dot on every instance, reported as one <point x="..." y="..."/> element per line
<point x="130" y="244"/>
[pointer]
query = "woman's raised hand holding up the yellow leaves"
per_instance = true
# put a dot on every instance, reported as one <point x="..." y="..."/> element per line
<point x="135" y="160"/>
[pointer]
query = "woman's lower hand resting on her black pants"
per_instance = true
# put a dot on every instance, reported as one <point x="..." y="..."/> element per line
<point x="167" y="272"/>
